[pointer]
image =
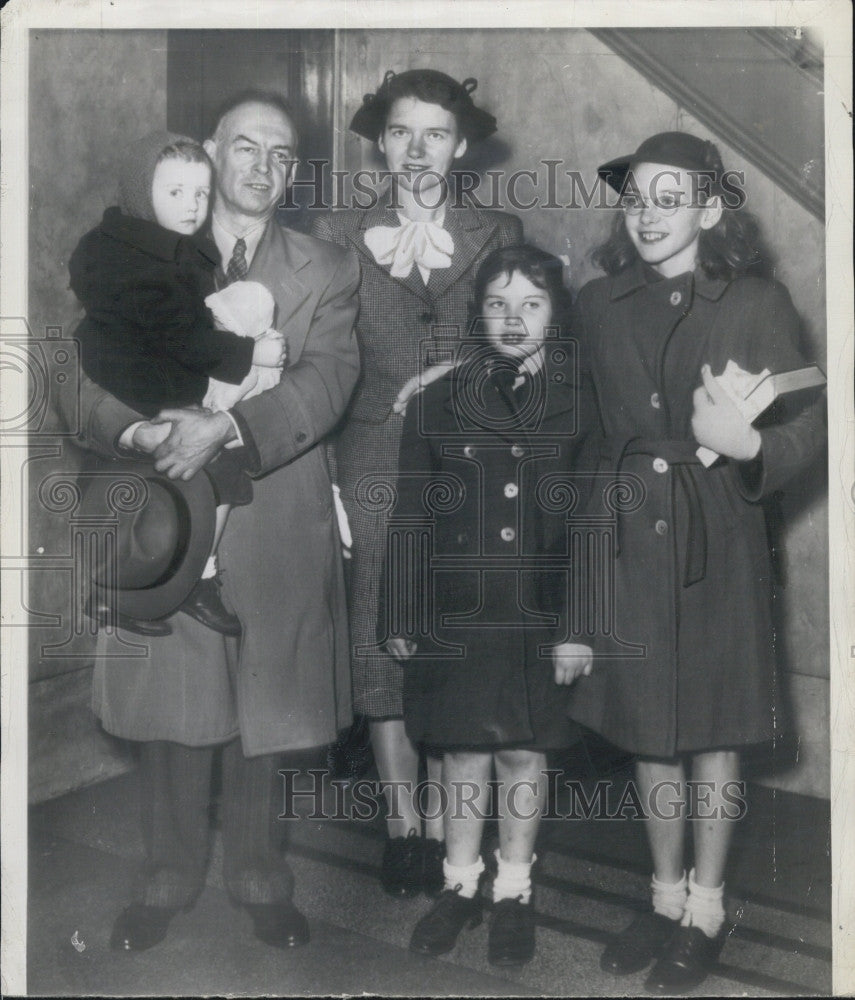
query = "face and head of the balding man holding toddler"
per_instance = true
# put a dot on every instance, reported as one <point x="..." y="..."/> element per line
<point x="253" y="153"/>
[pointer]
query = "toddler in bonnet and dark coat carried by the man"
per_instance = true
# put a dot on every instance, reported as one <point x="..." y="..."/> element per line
<point x="143" y="276"/>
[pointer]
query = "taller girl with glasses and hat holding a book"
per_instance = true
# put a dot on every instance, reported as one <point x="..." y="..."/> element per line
<point x="695" y="679"/>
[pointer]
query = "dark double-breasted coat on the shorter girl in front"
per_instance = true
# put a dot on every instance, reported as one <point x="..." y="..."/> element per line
<point x="470" y="472"/>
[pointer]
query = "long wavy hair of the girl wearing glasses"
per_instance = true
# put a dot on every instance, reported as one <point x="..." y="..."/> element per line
<point x="732" y="248"/>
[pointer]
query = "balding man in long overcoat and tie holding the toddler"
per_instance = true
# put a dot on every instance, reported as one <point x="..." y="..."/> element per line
<point x="287" y="686"/>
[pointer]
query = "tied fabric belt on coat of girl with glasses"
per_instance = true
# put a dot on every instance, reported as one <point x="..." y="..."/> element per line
<point x="681" y="455"/>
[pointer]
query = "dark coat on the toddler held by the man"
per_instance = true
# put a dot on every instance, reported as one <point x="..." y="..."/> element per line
<point x="147" y="336"/>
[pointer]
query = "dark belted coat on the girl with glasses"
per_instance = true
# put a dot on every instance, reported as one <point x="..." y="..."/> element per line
<point x="693" y="576"/>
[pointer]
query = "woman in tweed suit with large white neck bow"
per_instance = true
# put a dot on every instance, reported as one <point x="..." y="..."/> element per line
<point x="419" y="252"/>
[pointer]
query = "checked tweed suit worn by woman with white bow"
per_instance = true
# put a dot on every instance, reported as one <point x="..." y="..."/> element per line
<point x="399" y="320"/>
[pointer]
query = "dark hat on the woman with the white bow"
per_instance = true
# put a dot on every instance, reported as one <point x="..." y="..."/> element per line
<point x="427" y="85"/>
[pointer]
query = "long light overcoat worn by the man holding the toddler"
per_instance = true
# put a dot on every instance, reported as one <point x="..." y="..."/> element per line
<point x="286" y="683"/>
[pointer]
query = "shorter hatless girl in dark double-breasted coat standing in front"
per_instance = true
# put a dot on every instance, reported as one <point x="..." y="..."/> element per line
<point x="468" y="539"/>
